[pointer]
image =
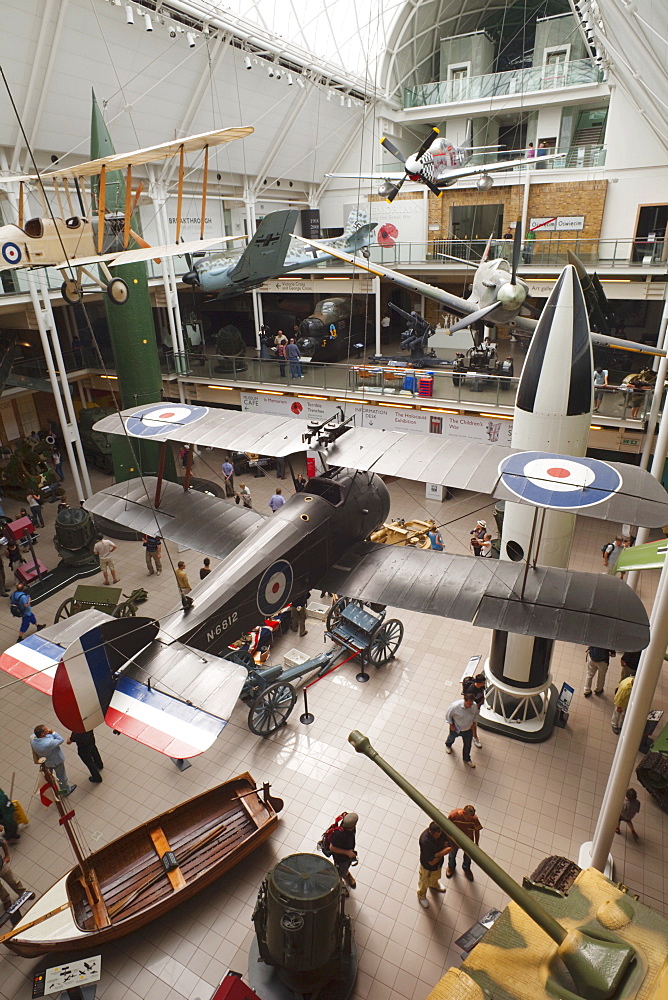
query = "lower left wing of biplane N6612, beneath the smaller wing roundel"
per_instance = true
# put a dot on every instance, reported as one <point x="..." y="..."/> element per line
<point x="187" y="517"/>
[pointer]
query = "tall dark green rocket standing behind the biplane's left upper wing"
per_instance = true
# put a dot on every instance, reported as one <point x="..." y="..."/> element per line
<point x="131" y="329"/>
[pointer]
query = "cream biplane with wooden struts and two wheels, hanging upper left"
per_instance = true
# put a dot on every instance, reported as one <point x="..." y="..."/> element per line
<point x="74" y="241"/>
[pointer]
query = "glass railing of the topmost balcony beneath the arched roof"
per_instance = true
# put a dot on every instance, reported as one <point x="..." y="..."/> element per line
<point x="517" y="81"/>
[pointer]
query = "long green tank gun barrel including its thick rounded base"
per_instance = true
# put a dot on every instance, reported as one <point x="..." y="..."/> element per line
<point x="597" y="963"/>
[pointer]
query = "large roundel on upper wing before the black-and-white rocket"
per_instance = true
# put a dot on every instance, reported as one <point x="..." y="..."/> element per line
<point x="559" y="481"/>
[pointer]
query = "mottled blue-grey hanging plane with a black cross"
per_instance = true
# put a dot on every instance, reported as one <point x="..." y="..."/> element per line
<point x="271" y="253"/>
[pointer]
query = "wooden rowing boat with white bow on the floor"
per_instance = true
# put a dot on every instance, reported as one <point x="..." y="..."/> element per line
<point x="127" y="884"/>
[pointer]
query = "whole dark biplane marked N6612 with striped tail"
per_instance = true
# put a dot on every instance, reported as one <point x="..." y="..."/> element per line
<point x="168" y="684"/>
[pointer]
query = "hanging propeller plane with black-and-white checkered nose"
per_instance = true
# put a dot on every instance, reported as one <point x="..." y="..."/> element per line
<point x="439" y="164"/>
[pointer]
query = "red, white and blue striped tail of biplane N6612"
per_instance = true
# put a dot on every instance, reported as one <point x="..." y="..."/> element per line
<point x="114" y="670"/>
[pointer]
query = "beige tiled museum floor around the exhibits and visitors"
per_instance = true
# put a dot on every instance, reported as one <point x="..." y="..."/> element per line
<point x="532" y="800"/>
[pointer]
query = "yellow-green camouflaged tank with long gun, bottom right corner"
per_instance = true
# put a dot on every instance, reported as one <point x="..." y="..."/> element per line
<point x="578" y="937"/>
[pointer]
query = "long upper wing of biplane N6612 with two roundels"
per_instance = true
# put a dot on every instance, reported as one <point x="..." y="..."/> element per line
<point x="604" y="490"/>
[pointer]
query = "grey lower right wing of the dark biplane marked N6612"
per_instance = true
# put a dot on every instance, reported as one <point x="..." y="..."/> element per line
<point x="553" y="603"/>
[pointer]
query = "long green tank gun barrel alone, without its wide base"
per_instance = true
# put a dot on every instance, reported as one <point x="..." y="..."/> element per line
<point x="523" y="899"/>
